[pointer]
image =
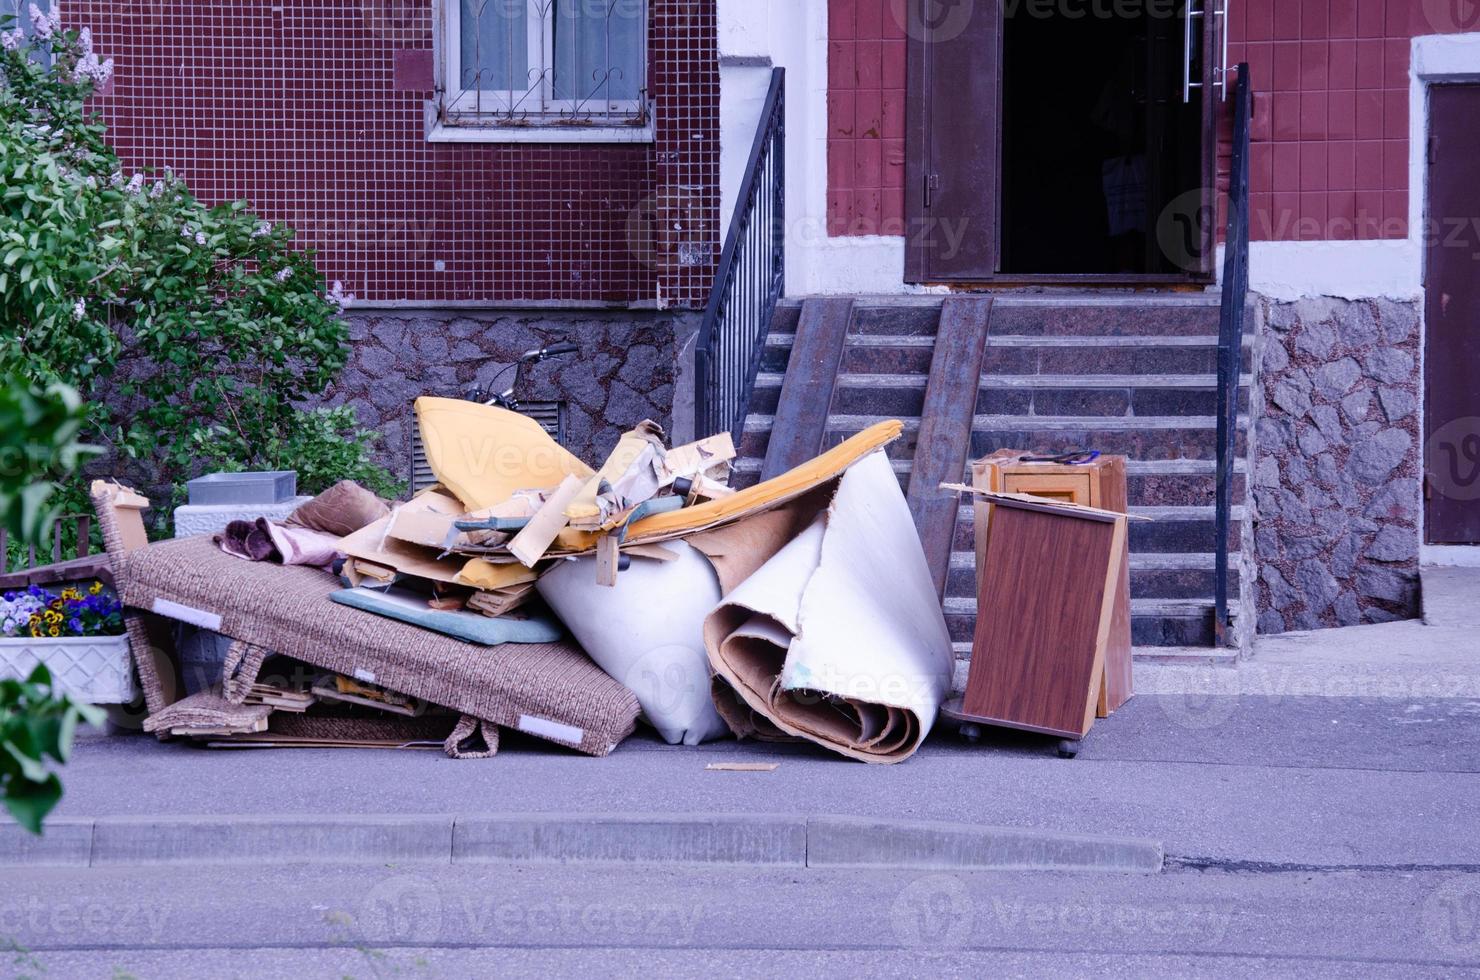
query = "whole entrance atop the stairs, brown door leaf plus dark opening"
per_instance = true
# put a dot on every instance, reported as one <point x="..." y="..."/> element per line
<point x="1056" y="141"/>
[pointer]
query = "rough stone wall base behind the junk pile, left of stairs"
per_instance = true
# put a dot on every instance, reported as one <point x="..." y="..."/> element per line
<point x="624" y="374"/>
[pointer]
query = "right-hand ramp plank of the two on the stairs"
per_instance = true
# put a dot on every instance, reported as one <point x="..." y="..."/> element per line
<point x="945" y="439"/>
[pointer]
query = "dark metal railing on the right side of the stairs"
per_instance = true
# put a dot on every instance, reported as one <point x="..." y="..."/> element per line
<point x="1231" y="340"/>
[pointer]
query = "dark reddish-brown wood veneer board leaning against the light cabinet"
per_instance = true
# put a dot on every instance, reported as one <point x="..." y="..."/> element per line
<point x="1044" y="618"/>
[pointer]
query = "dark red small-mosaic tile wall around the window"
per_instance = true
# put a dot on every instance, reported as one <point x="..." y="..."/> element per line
<point x="313" y="110"/>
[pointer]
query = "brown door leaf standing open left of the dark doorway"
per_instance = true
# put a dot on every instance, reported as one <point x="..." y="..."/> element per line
<point x="952" y="192"/>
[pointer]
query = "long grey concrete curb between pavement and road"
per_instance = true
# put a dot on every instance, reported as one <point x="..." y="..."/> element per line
<point x="707" y="840"/>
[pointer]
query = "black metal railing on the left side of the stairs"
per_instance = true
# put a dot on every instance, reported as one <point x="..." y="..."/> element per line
<point x="750" y="282"/>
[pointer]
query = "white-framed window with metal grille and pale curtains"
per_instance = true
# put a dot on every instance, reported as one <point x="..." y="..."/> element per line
<point x="525" y="63"/>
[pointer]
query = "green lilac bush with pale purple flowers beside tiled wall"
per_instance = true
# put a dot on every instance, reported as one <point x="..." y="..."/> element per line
<point x="203" y="325"/>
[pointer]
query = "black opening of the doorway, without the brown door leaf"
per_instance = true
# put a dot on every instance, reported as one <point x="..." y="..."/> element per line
<point x="1097" y="143"/>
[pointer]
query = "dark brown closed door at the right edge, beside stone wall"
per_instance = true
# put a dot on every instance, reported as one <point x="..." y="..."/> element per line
<point x="1453" y="286"/>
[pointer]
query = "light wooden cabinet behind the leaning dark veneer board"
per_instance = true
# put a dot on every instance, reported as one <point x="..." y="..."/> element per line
<point x="1099" y="485"/>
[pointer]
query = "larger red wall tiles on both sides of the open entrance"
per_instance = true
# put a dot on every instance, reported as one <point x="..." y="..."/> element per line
<point x="1331" y="124"/>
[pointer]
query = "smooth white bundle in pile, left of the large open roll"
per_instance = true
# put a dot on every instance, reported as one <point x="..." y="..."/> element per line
<point x="647" y="634"/>
